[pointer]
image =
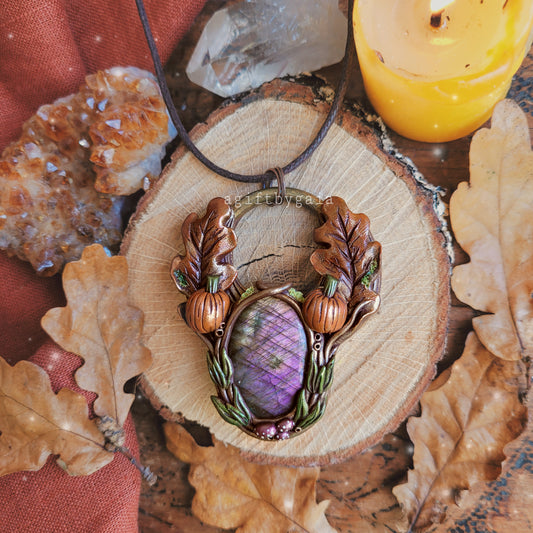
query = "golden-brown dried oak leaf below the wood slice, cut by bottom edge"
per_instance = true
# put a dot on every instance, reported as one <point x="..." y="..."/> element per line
<point x="234" y="493"/>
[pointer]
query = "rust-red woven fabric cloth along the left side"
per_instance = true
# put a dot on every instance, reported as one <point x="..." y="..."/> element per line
<point x="46" y="49"/>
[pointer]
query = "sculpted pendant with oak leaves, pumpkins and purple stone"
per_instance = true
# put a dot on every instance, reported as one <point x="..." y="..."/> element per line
<point x="271" y="350"/>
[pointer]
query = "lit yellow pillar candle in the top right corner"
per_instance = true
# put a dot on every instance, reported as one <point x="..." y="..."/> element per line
<point x="434" y="69"/>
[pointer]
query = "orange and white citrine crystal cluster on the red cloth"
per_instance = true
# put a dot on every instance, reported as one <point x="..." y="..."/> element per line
<point x="63" y="182"/>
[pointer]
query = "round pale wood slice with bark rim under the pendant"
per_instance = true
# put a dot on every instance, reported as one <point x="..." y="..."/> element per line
<point x="382" y="370"/>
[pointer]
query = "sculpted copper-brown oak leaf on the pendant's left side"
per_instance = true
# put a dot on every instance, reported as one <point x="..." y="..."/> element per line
<point x="208" y="241"/>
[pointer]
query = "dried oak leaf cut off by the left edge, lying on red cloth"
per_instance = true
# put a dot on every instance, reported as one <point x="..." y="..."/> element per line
<point x="35" y="422"/>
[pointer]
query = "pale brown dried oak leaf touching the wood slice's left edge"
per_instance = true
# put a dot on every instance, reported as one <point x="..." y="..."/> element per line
<point x="99" y="325"/>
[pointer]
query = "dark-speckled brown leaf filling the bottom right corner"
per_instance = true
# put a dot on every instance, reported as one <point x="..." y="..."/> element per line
<point x="508" y="500"/>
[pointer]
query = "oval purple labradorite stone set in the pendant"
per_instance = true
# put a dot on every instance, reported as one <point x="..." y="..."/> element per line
<point x="268" y="348"/>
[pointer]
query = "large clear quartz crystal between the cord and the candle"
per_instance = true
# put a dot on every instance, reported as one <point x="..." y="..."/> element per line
<point x="255" y="41"/>
